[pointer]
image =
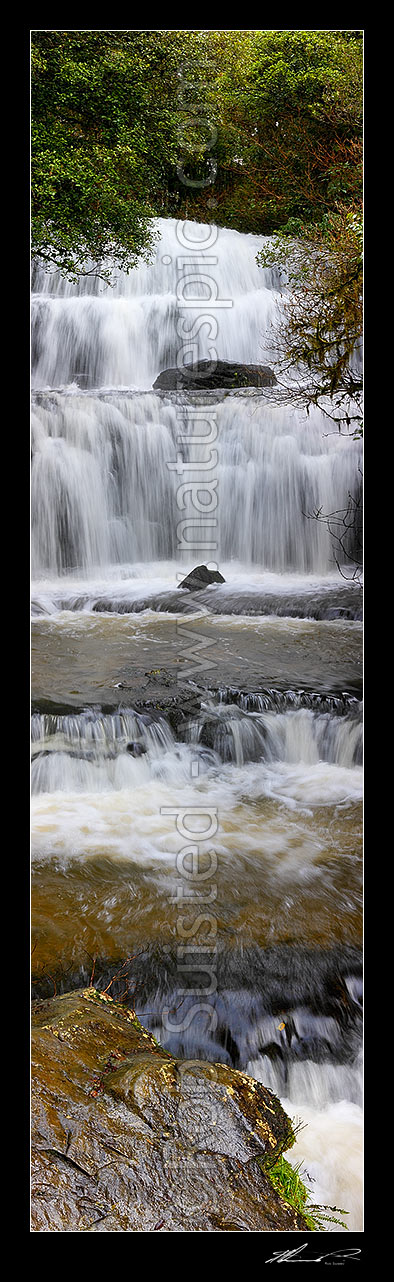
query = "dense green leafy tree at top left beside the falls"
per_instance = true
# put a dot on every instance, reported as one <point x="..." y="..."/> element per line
<point x="103" y="137"/>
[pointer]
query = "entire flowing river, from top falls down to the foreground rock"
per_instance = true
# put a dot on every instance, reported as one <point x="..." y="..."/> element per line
<point x="275" y="740"/>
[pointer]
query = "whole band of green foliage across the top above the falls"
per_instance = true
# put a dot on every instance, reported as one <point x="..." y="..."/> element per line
<point x="259" y="126"/>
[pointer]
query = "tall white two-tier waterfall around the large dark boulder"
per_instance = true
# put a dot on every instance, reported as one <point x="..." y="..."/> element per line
<point x="106" y="447"/>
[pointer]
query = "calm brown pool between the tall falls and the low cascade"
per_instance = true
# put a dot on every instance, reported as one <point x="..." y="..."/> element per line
<point x="85" y="658"/>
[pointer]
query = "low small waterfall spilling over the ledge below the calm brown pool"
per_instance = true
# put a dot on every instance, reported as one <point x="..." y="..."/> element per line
<point x="90" y="752"/>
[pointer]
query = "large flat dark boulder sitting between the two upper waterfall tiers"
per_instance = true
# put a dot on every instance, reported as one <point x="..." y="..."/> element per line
<point x="215" y="374"/>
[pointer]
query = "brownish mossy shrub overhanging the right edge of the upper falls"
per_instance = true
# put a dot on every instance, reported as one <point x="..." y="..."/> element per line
<point x="319" y="334"/>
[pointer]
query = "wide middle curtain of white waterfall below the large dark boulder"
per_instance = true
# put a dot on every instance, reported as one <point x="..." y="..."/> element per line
<point x="94" y="502"/>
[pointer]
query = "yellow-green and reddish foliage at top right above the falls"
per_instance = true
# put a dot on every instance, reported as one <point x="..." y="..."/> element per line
<point x="288" y="107"/>
